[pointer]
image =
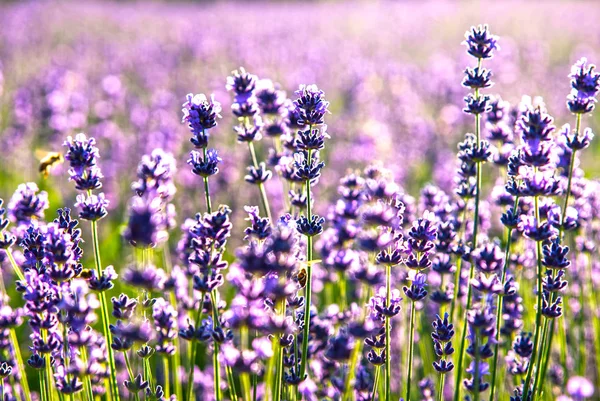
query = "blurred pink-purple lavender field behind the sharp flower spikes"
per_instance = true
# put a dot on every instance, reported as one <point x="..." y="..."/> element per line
<point x="392" y="71"/>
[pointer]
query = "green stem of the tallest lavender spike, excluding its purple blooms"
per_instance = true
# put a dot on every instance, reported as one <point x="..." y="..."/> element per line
<point x="463" y="340"/>
